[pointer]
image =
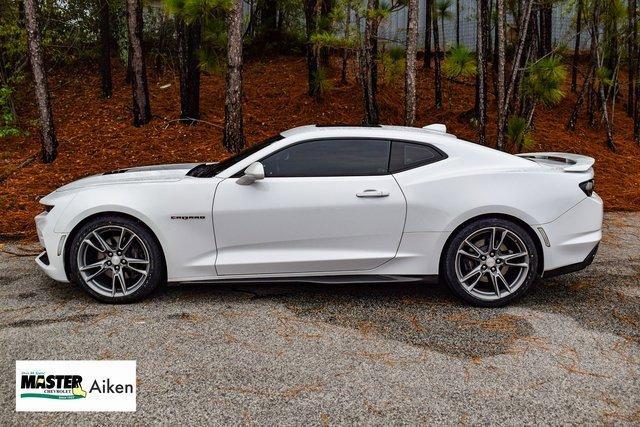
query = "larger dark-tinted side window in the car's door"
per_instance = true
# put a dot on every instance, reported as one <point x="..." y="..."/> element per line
<point x="330" y="157"/>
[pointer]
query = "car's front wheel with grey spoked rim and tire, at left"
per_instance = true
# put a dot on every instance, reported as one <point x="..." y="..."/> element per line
<point x="116" y="260"/>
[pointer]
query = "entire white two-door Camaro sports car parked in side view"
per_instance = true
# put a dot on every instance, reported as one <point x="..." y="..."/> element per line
<point x="330" y="204"/>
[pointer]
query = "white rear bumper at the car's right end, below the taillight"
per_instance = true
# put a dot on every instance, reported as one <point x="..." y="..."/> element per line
<point x="572" y="239"/>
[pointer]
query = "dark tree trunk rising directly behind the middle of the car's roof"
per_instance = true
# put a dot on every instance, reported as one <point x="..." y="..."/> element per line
<point x="371" y="115"/>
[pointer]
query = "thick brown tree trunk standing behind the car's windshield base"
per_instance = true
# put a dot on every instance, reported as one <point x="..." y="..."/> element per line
<point x="233" y="133"/>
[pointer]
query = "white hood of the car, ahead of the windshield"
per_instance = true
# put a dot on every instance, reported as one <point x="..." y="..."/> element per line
<point x="156" y="173"/>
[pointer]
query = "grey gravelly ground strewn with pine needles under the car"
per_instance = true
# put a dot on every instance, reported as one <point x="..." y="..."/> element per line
<point x="568" y="353"/>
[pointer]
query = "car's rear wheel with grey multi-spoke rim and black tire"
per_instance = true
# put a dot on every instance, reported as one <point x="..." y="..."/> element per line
<point x="491" y="262"/>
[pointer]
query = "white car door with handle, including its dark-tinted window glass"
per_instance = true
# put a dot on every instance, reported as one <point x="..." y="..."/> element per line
<point x="324" y="206"/>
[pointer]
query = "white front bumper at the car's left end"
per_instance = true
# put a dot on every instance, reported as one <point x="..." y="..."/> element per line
<point x="51" y="261"/>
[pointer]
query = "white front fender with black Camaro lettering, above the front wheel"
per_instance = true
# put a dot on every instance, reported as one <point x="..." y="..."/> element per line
<point x="188" y="244"/>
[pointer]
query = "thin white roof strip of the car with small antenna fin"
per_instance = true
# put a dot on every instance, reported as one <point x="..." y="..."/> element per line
<point x="401" y="131"/>
